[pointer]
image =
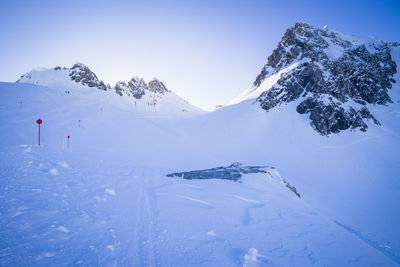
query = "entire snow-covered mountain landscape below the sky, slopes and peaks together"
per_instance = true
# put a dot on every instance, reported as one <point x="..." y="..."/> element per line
<point x="131" y="187"/>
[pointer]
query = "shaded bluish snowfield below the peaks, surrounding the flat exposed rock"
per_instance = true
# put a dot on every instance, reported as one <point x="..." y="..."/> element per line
<point x="106" y="200"/>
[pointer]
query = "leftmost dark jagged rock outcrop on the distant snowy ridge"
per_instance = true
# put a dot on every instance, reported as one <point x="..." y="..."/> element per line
<point x="80" y="73"/>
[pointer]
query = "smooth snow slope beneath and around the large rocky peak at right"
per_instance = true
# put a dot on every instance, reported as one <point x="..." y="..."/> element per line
<point x="350" y="177"/>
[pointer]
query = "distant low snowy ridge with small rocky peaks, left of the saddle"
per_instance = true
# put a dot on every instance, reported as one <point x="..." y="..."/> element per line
<point x="152" y="97"/>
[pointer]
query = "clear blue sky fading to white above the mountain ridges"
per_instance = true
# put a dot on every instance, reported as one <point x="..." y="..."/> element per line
<point x="205" y="51"/>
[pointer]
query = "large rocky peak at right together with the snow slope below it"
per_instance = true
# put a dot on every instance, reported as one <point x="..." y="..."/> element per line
<point x="349" y="175"/>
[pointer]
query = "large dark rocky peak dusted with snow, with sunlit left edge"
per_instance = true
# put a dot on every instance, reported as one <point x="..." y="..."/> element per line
<point x="334" y="78"/>
